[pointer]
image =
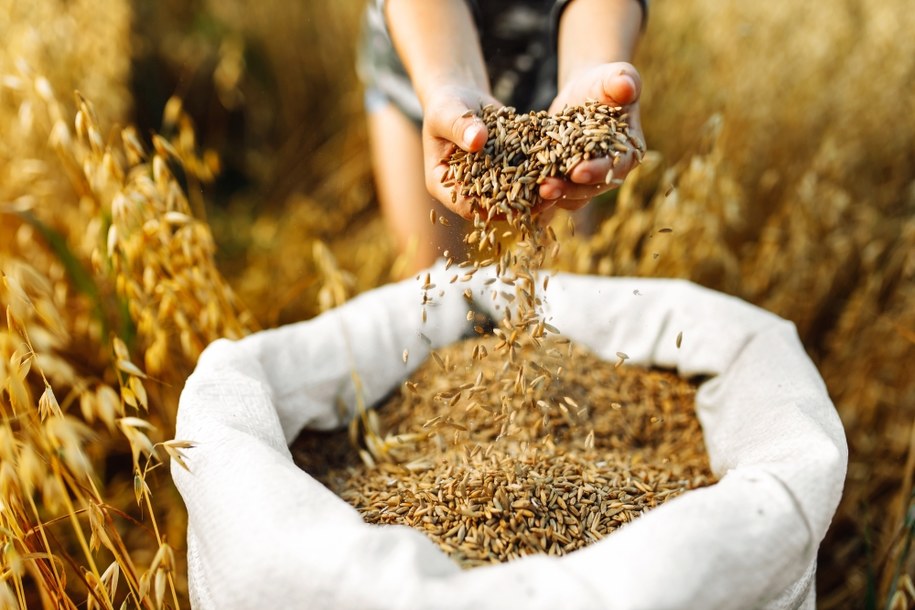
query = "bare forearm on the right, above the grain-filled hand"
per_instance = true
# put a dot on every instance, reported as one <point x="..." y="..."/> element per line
<point x="593" y="32"/>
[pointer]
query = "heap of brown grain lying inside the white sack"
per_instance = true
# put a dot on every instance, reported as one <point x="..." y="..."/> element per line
<point x="592" y="449"/>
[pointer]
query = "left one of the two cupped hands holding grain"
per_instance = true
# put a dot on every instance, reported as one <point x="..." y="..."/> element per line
<point x="446" y="126"/>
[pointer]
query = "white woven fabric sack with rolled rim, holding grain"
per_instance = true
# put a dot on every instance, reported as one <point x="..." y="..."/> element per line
<point x="264" y="534"/>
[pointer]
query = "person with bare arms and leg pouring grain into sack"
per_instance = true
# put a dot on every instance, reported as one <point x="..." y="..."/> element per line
<point x="429" y="66"/>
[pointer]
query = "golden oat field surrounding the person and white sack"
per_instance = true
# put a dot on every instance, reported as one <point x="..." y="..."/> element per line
<point x="783" y="157"/>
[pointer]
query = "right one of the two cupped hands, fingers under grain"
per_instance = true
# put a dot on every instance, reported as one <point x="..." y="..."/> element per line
<point x="614" y="84"/>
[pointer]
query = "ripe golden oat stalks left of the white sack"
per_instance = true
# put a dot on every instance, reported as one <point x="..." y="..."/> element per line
<point x="109" y="292"/>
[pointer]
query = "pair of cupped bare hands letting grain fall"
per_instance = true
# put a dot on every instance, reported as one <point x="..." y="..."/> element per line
<point x="445" y="127"/>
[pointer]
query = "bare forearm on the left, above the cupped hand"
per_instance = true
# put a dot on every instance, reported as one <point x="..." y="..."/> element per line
<point x="438" y="44"/>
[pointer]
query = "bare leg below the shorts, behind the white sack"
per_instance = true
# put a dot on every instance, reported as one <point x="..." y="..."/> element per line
<point x="397" y="161"/>
